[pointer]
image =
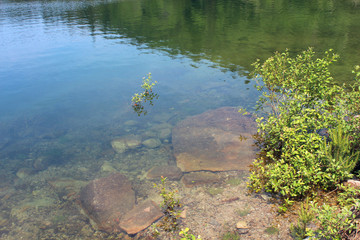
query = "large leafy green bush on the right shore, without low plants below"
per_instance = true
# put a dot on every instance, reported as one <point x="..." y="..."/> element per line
<point x="301" y="103"/>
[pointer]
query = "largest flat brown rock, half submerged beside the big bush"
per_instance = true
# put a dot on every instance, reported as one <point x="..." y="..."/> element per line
<point x="211" y="141"/>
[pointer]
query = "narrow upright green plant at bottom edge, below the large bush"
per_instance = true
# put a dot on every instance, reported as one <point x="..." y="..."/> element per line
<point x="306" y="215"/>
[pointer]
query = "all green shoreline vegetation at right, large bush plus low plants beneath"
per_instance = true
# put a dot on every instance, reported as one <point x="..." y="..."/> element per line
<point x="308" y="135"/>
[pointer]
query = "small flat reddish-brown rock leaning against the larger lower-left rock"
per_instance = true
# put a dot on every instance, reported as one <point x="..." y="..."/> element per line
<point x="140" y="217"/>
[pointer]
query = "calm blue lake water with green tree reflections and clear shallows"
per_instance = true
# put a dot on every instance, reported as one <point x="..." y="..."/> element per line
<point x="68" y="70"/>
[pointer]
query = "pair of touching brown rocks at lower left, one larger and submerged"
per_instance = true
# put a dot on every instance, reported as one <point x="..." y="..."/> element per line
<point x="110" y="202"/>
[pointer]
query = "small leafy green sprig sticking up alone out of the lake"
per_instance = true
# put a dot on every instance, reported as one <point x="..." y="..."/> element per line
<point x="147" y="95"/>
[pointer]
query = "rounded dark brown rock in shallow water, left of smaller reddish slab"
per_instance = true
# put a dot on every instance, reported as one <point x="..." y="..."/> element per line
<point x="107" y="199"/>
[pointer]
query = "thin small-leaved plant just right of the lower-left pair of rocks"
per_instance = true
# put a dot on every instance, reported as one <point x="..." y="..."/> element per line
<point x="170" y="206"/>
